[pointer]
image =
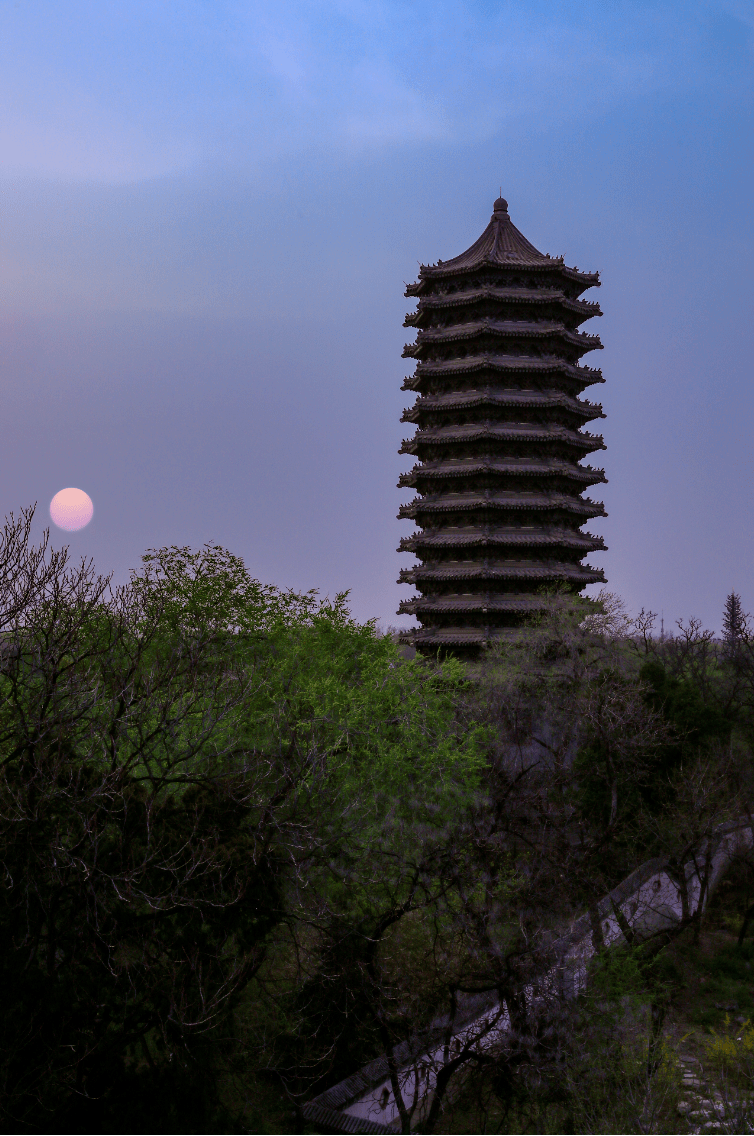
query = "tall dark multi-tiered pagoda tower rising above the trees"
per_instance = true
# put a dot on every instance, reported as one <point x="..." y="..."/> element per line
<point x="499" y="439"/>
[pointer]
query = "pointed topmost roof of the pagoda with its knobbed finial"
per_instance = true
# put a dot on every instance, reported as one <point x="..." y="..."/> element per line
<point x="501" y="245"/>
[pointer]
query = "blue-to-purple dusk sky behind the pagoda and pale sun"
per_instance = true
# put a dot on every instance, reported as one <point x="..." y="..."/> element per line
<point x="211" y="210"/>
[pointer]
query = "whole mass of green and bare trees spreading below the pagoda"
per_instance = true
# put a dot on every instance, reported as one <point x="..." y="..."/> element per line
<point x="247" y="847"/>
